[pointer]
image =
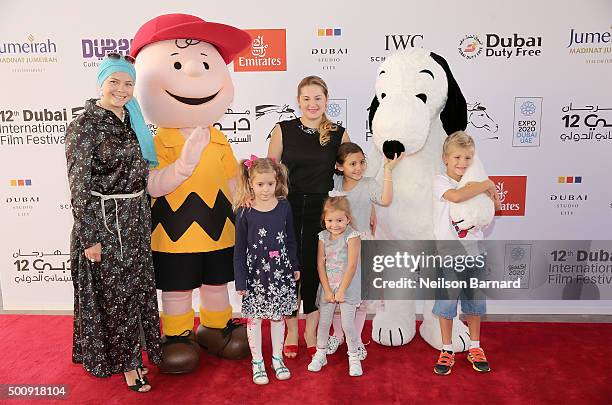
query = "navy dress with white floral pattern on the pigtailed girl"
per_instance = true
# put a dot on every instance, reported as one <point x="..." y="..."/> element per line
<point x="265" y="257"/>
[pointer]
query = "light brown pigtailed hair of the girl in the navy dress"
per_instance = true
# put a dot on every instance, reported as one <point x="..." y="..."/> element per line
<point x="249" y="168"/>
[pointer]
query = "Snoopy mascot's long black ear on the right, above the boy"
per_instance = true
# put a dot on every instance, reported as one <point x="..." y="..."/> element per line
<point x="454" y="114"/>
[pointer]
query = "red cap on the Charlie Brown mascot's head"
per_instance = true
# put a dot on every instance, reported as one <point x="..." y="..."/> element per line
<point x="228" y="40"/>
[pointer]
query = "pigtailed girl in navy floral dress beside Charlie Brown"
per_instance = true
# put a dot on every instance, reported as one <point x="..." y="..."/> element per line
<point x="265" y="258"/>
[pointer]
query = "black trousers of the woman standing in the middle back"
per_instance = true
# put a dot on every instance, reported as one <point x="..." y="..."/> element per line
<point x="307" y="210"/>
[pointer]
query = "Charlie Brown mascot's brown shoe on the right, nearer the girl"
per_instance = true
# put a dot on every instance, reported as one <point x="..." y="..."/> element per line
<point x="229" y="343"/>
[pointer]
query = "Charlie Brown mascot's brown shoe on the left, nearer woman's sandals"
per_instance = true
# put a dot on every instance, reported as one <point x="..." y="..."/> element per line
<point x="180" y="354"/>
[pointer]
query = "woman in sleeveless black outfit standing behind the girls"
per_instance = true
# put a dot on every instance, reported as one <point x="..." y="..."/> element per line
<point x="307" y="146"/>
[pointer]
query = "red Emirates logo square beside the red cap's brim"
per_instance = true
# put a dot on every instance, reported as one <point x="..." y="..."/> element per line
<point x="268" y="52"/>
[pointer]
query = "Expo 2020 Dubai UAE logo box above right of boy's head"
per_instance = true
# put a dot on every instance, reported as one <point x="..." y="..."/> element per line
<point x="527" y="121"/>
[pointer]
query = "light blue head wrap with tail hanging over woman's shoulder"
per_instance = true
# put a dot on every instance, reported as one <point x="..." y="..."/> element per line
<point x="110" y="66"/>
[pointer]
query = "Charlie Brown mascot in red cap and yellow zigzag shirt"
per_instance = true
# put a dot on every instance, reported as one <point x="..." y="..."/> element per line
<point x="184" y="86"/>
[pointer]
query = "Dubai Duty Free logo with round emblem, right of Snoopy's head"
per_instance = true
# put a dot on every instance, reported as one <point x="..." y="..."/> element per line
<point x="500" y="46"/>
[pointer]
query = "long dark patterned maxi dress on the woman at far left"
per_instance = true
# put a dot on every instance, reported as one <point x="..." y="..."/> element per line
<point x="115" y="301"/>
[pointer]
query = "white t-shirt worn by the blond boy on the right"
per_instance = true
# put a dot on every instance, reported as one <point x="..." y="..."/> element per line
<point x="443" y="227"/>
